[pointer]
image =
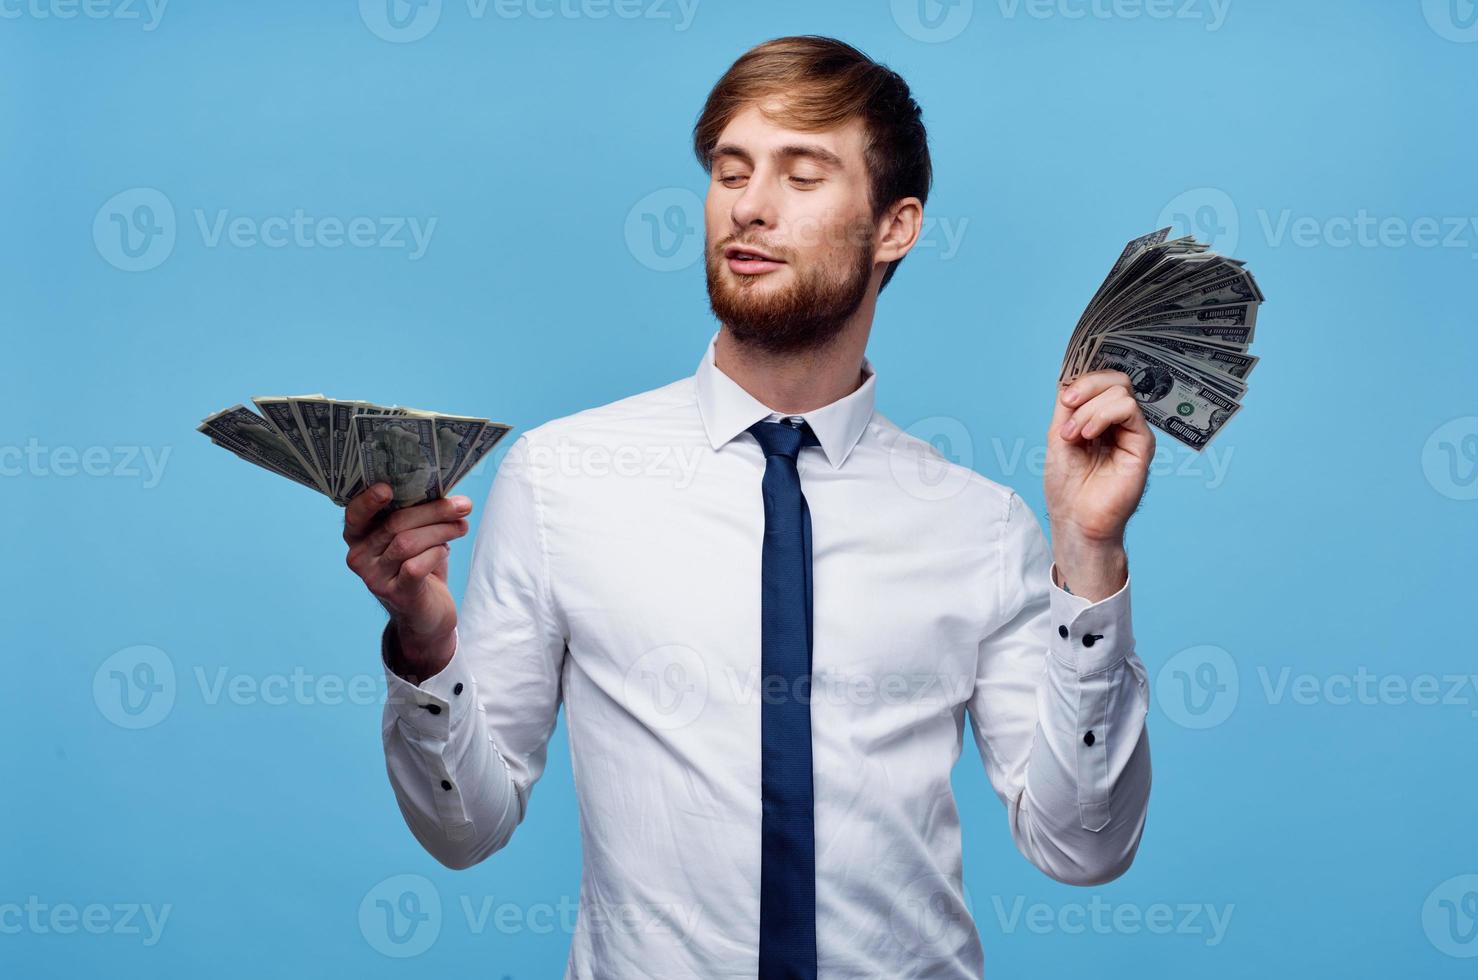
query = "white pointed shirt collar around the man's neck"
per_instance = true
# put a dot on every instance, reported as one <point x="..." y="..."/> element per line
<point x="728" y="410"/>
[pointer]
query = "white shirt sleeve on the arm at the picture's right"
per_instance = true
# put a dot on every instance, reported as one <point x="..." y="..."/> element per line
<point x="1059" y="715"/>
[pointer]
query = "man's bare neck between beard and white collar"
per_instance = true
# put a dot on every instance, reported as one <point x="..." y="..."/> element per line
<point x="794" y="384"/>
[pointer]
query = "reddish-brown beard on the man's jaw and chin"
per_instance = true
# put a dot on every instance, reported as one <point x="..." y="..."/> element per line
<point x="806" y="316"/>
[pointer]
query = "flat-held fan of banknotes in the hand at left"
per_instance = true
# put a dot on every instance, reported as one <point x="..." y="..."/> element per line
<point x="341" y="449"/>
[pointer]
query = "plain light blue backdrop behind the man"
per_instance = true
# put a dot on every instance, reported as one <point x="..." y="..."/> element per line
<point x="1334" y="536"/>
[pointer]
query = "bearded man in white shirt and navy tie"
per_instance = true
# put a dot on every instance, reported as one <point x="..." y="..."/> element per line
<point x="766" y="627"/>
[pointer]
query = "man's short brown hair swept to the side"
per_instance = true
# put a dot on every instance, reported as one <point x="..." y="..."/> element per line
<point x="825" y="84"/>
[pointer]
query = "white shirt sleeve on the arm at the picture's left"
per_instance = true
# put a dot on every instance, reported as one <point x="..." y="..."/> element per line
<point x="465" y="747"/>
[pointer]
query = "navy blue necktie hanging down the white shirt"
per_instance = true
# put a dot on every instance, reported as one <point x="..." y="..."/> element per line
<point x="789" y="831"/>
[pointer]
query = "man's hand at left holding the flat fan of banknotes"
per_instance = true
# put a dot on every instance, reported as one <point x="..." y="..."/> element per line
<point x="401" y="557"/>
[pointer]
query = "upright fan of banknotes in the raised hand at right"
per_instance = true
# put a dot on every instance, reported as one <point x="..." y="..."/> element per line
<point x="1177" y="319"/>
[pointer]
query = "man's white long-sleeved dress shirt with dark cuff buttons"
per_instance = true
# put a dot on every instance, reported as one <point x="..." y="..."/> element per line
<point x="617" y="570"/>
